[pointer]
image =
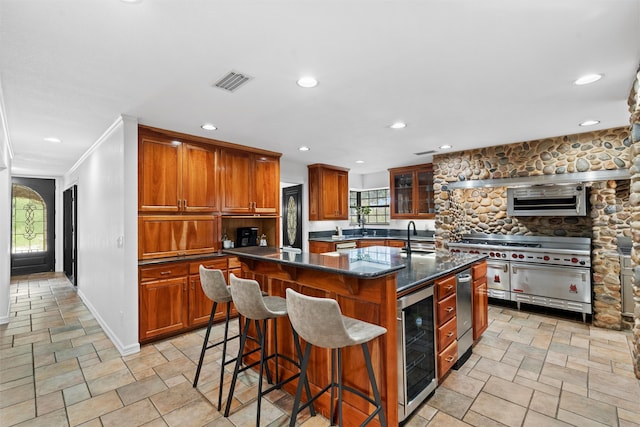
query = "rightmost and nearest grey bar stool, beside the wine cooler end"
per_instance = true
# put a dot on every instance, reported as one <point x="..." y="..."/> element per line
<point x="320" y="322"/>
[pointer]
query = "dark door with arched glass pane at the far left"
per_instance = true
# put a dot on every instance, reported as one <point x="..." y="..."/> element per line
<point x="32" y="225"/>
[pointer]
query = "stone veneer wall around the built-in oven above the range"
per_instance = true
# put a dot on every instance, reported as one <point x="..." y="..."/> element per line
<point x="484" y="209"/>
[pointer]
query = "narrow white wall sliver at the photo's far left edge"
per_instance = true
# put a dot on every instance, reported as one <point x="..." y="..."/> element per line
<point x="5" y="229"/>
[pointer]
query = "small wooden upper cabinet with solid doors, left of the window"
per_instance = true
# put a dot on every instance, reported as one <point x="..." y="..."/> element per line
<point x="328" y="192"/>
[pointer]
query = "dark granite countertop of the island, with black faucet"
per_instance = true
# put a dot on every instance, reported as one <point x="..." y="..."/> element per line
<point x="371" y="262"/>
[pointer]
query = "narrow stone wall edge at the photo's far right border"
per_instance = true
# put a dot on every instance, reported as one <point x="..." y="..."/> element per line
<point x="634" y="201"/>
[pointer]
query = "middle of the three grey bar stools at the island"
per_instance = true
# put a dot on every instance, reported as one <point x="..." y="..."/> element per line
<point x="252" y="305"/>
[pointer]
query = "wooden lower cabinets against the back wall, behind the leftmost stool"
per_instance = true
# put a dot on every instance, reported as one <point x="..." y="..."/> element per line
<point x="171" y="299"/>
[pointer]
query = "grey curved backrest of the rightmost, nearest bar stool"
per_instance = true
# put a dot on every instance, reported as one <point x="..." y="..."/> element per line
<point x="317" y="320"/>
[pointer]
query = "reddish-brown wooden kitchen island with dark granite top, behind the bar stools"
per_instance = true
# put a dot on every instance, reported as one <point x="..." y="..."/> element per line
<point x="367" y="283"/>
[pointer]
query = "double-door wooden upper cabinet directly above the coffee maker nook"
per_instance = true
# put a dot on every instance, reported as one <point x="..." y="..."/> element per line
<point x="250" y="183"/>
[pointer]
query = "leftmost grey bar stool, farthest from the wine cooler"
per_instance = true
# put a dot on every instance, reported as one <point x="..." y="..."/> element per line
<point x="215" y="288"/>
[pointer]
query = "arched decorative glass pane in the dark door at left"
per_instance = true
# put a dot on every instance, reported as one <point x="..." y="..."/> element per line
<point x="29" y="221"/>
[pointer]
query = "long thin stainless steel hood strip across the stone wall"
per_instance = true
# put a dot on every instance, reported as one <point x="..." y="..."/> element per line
<point x="526" y="181"/>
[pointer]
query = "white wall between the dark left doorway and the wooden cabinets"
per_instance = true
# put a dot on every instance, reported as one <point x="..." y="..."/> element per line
<point x="107" y="181"/>
